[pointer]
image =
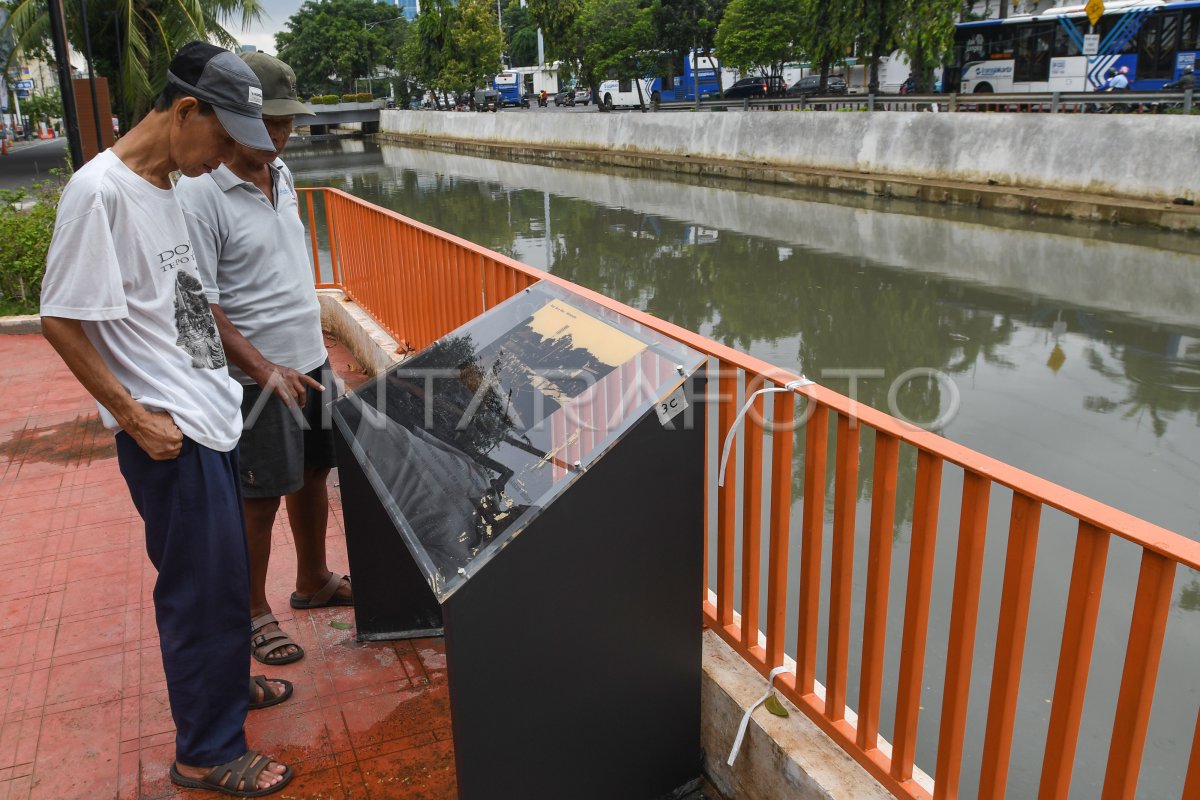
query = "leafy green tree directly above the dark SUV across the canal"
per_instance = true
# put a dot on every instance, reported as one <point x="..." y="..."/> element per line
<point x="760" y="35"/>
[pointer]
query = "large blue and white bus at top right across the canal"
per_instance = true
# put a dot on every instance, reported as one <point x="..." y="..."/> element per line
<point x="1045" y="53"/>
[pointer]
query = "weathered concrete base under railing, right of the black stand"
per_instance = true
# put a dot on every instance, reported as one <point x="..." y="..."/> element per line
<point x="782" y="759"/>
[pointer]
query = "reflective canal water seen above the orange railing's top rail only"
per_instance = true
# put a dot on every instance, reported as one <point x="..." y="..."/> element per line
<point x="1058" y="335"/>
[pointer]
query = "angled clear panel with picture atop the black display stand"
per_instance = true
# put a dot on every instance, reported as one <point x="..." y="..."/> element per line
<point x="469" y="441"/>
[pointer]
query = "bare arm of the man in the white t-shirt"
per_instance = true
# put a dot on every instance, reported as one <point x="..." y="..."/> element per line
<point x="155" y="432"/>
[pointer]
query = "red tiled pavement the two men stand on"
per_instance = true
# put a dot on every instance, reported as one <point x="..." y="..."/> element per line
<point x="82" y="694"/>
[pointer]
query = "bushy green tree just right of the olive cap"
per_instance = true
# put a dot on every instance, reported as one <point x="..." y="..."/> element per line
<point x="332" y="44"/>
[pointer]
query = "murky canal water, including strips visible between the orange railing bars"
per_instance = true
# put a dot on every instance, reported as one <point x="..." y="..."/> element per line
<point x="1067" y="350"/>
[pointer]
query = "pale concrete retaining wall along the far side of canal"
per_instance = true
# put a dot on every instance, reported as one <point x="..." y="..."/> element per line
<point x="1081" y="167"/>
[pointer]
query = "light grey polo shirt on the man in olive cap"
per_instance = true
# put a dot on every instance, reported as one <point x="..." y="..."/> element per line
<point x="254" y="263"/>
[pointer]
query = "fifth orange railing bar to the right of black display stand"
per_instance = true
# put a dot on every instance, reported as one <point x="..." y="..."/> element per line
<point x="842" y="572"/>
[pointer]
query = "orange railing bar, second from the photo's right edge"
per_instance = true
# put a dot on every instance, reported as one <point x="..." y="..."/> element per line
<point x="1148" y="629"/>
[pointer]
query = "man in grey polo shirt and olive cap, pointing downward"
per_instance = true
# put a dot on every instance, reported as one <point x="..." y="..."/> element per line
<point x="250" y="243"/>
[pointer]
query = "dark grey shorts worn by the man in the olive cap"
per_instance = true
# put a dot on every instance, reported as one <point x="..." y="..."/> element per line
<point x="279" y="444"/>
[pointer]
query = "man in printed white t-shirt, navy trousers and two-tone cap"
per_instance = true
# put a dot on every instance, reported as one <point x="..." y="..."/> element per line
<point x="123" y="305"/>
